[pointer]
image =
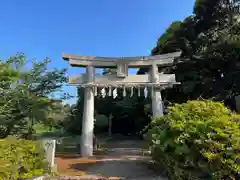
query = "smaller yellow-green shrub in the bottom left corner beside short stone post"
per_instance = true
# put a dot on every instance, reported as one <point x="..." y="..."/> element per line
<point x="20" y="159"/>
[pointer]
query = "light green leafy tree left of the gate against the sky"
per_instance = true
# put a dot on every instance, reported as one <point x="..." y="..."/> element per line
<point x="25" y="94"/>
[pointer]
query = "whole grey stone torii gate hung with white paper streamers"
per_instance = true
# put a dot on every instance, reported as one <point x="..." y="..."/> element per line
<point x="153" y="81"/>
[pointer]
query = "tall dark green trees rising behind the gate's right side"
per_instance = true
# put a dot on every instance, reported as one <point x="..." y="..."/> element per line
<point x="209" y="65"/>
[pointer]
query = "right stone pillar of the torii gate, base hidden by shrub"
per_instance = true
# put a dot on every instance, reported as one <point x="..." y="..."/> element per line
<point x="157" y="105"/>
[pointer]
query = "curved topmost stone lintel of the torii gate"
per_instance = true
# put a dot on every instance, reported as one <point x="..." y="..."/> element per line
<point x="132" y="62"/>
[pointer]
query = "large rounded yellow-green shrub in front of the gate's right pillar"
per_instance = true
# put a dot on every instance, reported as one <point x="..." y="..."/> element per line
<point x="197" y="140"/>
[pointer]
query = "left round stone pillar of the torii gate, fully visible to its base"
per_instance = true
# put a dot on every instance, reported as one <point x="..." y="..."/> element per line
<point x="88" y="116"/>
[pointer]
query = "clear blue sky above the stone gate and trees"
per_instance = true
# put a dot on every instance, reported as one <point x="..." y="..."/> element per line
<point x="46" y="28"/>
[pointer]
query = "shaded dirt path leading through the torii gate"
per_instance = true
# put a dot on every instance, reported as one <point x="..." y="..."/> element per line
<point x="124" y="160"/>
